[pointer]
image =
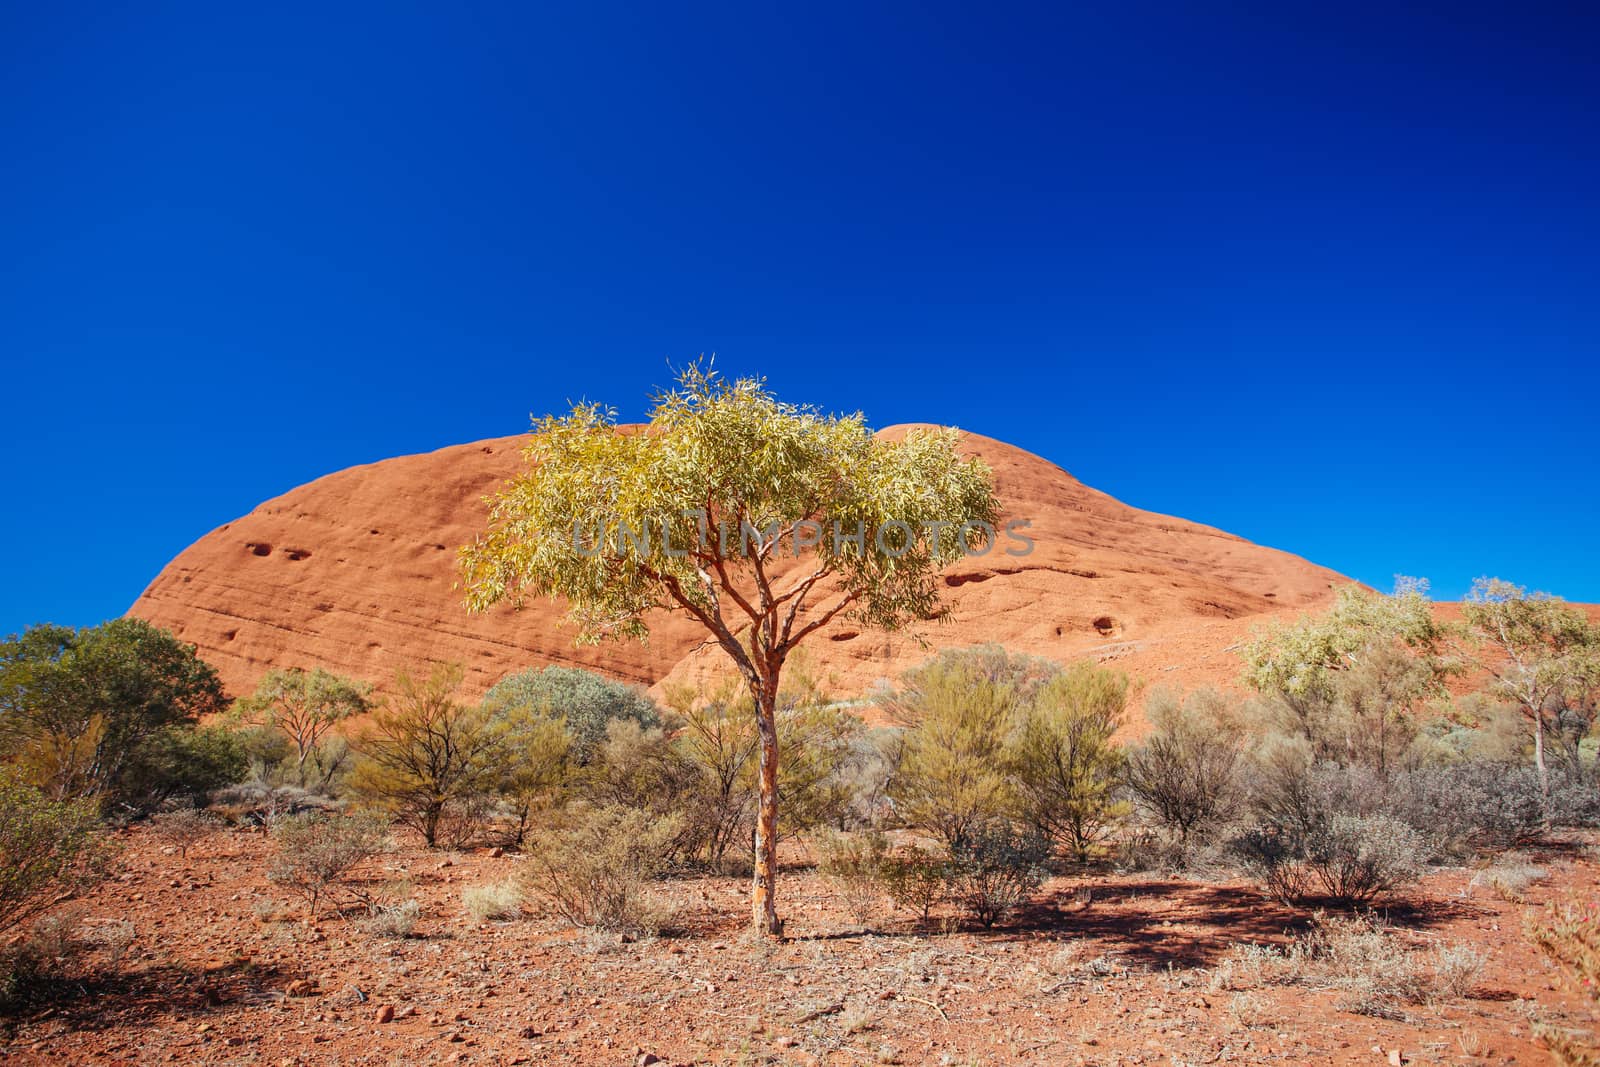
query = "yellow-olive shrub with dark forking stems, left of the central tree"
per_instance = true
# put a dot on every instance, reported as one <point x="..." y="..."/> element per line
<point x="428" y="754"/>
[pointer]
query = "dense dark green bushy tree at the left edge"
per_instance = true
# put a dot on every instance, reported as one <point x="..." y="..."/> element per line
<point x="81" y="711"/>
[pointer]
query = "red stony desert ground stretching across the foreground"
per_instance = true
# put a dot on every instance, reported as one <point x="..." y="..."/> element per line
<point x="1114" y="981"/>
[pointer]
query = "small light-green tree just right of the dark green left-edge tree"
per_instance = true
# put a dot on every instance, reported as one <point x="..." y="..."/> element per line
<point x="305" y="708"/>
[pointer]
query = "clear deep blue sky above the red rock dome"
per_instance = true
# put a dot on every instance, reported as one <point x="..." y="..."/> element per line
<point x="1322" y="276"/>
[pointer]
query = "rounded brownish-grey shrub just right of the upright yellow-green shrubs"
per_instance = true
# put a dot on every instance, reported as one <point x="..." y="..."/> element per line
<point x="1186" y="775"/>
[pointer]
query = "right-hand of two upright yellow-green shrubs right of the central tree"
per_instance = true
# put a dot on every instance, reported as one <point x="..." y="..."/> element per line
<point x="1063" y="759"/>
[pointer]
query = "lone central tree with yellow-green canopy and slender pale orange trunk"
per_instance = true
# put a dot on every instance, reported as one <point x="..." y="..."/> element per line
<point x="742" y="513"/>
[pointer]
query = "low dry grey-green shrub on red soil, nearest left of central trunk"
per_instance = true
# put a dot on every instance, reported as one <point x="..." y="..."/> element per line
<point x="591" y="865"/>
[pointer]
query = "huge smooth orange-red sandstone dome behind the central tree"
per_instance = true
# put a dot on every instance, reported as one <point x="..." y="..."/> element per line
<point x="356" y="573"/>
